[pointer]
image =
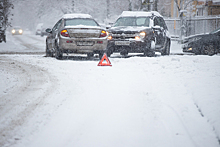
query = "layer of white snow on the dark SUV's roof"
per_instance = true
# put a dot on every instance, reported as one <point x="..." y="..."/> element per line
<point x="139" y="13"/>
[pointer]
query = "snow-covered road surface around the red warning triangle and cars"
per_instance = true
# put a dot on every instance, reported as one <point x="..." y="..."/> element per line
<point x="164" y="101"/>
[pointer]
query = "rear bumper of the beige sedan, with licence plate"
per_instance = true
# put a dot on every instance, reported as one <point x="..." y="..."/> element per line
<point x="83" y="45"/>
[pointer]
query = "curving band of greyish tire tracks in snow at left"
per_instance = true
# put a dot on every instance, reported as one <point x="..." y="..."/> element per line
<point x="32" y="89"/>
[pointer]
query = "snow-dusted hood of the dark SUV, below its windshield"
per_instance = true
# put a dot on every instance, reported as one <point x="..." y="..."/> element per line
<point x="127" y="29"/>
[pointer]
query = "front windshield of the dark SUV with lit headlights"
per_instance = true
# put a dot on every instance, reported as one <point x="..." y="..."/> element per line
<point x="133" y="21"/>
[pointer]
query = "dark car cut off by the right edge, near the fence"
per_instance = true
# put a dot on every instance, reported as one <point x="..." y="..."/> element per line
<point x="204" y="44"/>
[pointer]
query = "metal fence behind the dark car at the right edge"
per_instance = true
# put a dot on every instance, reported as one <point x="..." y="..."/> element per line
<point x="192" y="26"/>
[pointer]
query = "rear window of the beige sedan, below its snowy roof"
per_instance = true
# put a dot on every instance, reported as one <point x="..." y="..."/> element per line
<point x="80" y="21"/>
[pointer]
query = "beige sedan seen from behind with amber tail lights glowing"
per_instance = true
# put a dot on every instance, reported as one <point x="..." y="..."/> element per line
<point x="76" y="33"/>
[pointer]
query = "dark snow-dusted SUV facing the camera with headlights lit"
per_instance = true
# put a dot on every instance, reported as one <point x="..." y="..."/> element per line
<point x="139" y="32"/>
